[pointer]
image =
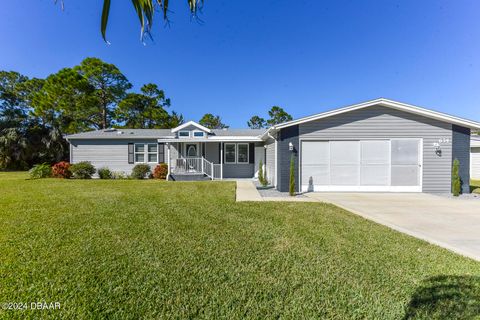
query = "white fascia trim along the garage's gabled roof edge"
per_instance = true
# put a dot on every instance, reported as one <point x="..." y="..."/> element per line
<point x="390" y="104"/>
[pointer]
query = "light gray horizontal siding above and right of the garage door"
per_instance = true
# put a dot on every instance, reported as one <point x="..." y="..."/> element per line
<point x="379" y="122"/>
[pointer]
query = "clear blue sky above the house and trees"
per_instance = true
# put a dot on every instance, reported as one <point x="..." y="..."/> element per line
<point x="306" y="56"/>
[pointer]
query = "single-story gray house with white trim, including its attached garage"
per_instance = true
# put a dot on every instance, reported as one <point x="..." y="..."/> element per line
<point x="379" y="145"/>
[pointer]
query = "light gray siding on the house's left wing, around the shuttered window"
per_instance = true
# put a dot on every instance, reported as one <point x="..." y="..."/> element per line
<point x="109" y="153"/>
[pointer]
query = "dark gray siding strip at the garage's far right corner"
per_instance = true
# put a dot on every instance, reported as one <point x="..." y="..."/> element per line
<point x="461" y="151"/>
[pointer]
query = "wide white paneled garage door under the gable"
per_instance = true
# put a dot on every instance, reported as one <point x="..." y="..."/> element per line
<point x="365" y="165"/>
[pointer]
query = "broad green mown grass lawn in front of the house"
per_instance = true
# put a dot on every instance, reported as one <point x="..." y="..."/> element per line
<point x="153" y="249"/>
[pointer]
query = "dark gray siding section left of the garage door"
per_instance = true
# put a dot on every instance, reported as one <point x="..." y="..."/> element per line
<point x="285" y="136"/>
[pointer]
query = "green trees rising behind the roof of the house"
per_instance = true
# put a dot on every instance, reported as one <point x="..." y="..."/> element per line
<point x="36" y="113"/>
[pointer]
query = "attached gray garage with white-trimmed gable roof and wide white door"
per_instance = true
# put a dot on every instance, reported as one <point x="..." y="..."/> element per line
<point x="379" y="145"/>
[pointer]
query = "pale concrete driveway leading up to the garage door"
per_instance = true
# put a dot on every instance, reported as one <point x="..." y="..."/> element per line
<point x="452" y="223"/>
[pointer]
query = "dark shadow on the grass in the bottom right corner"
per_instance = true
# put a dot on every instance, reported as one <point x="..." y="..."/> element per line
<point x="446" y="297"/>
